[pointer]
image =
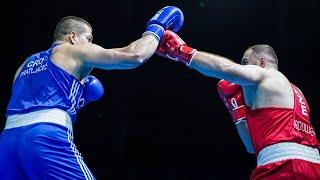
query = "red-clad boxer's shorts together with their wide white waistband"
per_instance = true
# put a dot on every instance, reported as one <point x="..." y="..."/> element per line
<point x="286" y="161"/>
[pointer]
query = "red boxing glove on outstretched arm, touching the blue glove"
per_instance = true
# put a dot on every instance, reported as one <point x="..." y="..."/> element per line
<point x="173" y="47"/>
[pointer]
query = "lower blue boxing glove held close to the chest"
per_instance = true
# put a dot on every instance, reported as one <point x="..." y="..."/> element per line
<point x="93" y="89"/>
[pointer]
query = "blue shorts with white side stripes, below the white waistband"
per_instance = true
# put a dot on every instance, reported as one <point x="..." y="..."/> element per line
<point x="40" y="151"/>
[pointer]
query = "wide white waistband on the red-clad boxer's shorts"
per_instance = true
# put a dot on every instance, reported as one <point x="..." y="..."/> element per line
<point x="287" y="150"/>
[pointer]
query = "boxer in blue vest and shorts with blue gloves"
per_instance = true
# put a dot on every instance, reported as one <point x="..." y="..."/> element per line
<point x="51" y="86"/>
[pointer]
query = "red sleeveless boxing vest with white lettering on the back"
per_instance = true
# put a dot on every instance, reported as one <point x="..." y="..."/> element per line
<point x="272" y="125"/>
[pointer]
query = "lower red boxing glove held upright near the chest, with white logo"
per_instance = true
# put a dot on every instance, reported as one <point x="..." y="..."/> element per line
<point x="232" y="96"/>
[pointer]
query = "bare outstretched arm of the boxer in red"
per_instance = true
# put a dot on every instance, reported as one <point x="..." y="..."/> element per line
<point x="220" y="67"/>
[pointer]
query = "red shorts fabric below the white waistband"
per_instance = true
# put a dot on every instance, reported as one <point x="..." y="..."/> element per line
<point x="288" y="169"/>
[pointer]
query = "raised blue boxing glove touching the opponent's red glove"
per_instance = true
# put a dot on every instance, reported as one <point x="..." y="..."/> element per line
<point x="169" y="17"/>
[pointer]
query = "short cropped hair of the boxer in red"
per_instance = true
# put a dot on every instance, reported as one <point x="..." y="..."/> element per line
<point x="266" y="50"/>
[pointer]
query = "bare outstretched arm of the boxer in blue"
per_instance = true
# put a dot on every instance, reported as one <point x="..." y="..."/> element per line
<point x="131" y="56"/>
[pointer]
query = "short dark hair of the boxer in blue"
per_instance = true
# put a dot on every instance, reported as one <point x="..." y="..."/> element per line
<point x="68" y="24"/>
